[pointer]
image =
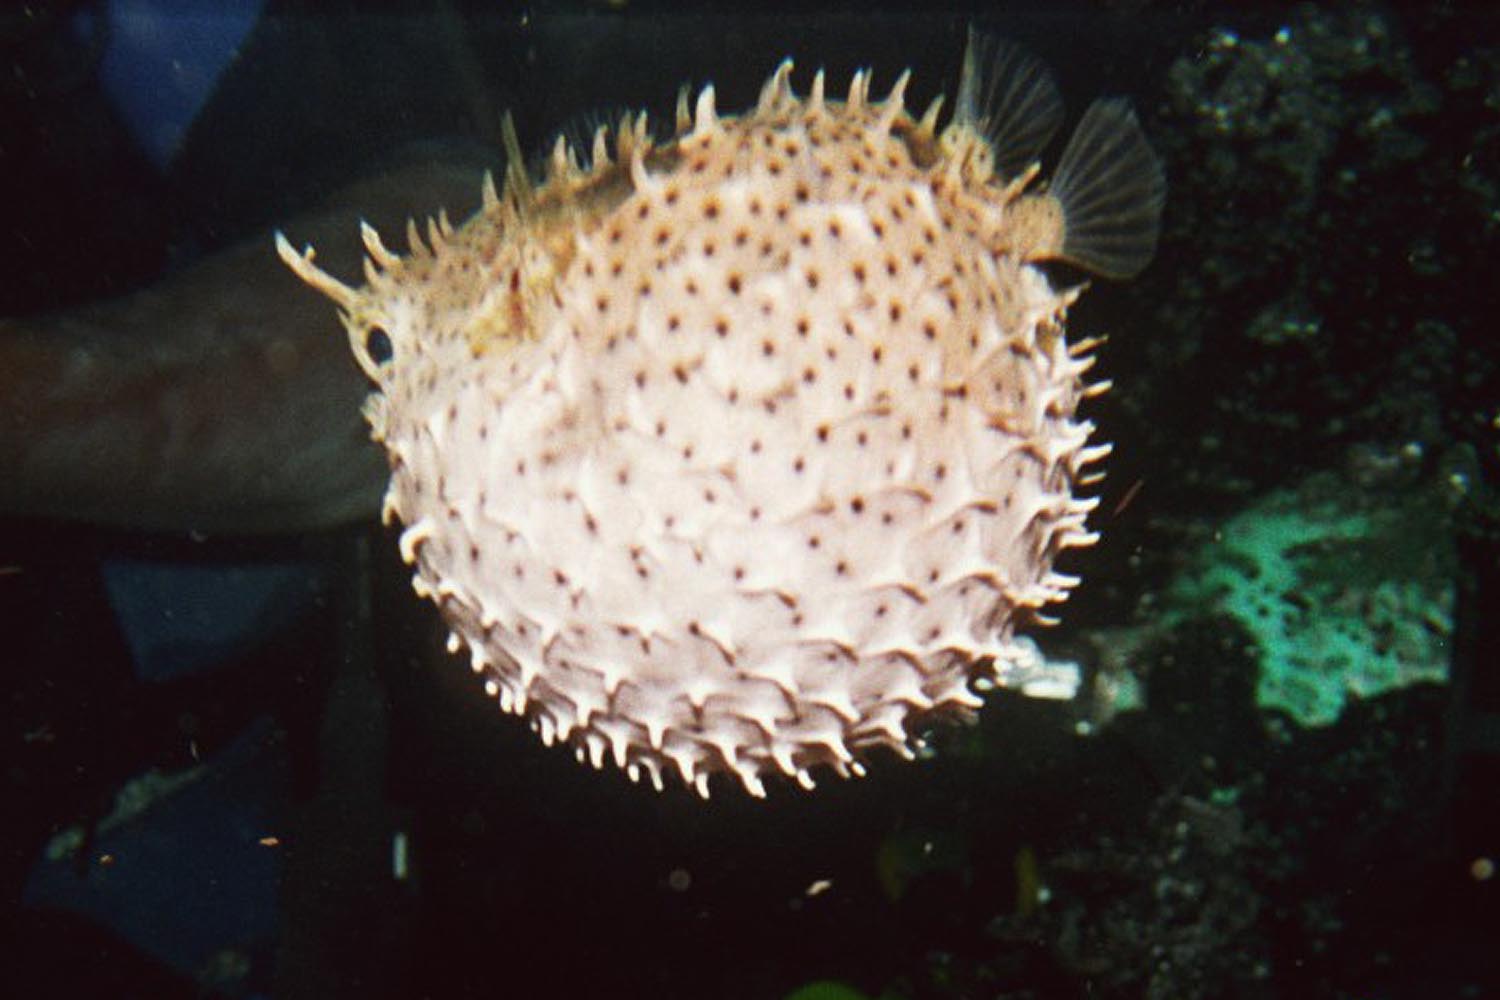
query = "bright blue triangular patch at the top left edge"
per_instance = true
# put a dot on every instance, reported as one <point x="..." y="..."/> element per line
<point x="163" y="61"/>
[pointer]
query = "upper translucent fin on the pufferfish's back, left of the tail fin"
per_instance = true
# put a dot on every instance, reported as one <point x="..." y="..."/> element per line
<point x="1007" y="95"/>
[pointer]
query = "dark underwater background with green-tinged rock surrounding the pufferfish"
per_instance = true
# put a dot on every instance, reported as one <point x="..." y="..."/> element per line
<point x="238" y="762"/>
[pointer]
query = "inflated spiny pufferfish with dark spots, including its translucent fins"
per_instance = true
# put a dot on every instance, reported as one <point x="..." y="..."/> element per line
<point x="748" y="452"/>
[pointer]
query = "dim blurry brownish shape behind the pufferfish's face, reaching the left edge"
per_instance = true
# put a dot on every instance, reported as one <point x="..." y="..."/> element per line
<point x="218" y="401"/>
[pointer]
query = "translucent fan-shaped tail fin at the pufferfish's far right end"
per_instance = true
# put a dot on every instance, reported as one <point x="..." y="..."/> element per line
<point x="1112" y="190"/>
